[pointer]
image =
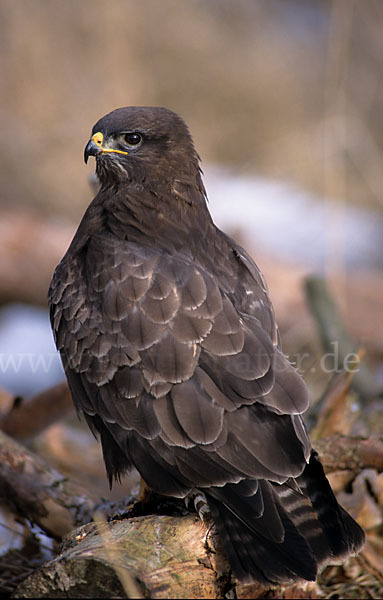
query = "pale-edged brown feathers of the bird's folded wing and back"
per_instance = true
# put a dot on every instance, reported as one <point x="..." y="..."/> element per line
<point x="174" y="360"/>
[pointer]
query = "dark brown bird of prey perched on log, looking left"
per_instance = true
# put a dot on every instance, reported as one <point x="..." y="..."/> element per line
<point x="171" y="350"/>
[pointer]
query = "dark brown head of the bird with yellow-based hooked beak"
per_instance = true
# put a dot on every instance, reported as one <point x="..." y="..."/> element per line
<point x="136" y="144"/>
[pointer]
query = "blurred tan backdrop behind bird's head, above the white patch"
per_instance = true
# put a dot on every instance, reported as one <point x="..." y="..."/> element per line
<point x="288" y="89"/>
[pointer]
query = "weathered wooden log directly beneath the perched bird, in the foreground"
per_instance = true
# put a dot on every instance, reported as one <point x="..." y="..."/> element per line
<point x="153" y="556"/>
